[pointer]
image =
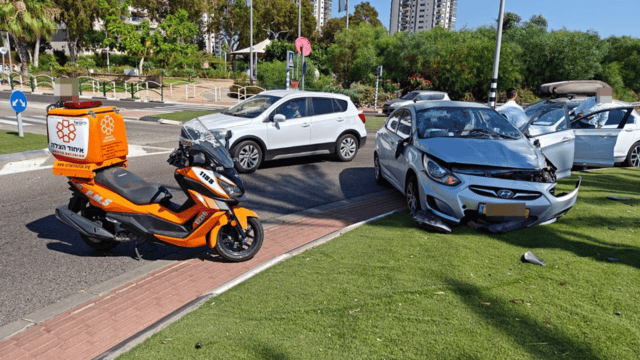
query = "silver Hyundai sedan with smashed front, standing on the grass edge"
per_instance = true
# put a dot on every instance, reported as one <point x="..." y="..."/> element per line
<point x="459" y="162"/>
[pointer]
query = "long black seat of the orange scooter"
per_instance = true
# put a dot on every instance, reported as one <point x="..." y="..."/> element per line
<point x="131" y="187"/>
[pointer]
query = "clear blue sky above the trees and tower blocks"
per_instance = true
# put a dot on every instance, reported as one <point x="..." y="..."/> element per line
<point x="607" y="17"/>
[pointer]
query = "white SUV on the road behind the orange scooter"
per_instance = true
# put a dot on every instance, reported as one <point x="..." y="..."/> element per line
<point x="278" y="124"/>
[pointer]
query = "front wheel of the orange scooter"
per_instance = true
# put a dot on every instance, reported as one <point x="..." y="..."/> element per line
<point x="229" y="246"/>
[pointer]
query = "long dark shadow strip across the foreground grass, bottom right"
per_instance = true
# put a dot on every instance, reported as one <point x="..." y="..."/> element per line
<point x="538" y="339"/>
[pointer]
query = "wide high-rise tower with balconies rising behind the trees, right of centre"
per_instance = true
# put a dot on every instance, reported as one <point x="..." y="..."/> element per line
<point x="419" y="15"/>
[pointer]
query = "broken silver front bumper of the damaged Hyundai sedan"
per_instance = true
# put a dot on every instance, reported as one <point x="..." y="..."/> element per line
<point x="454" y="204"/>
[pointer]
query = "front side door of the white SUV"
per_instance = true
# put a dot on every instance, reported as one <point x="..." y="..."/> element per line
<point x="294" y="134"/>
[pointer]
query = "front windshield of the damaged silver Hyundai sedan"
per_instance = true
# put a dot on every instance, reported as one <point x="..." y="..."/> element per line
<point x="464" y="122"/>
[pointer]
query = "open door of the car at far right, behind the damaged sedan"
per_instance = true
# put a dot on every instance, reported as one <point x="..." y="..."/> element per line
<point x="594" y="147"/>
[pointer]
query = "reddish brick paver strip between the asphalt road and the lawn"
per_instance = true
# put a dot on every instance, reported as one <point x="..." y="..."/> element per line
<point x="94" y="327"/>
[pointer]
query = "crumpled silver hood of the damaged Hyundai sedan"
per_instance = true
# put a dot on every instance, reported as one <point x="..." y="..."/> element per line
<point x="520" y="154"/>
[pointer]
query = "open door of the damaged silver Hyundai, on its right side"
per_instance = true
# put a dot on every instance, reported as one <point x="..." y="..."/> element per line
<point x="557" y="146"/>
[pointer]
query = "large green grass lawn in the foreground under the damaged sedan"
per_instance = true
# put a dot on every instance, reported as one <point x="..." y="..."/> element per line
<point x="390" y="290"/>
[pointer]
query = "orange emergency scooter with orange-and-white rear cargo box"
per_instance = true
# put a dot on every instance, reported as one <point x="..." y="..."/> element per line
<point x="111" y="204"/>
